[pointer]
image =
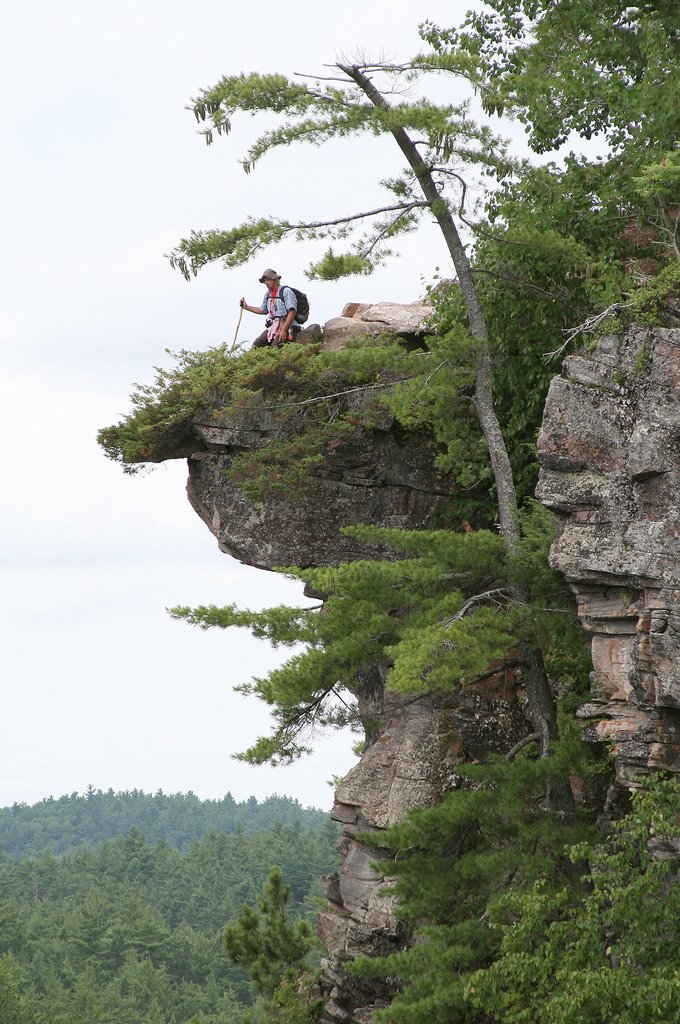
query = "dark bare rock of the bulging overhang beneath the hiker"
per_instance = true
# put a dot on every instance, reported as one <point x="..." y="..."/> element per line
<point x="375" y="477"/>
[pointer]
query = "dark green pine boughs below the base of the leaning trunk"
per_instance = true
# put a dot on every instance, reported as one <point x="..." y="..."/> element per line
<point x="454" y="865"/>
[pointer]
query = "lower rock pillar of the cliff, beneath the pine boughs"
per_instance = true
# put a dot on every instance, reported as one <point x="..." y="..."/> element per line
<point x="412" y="763"/>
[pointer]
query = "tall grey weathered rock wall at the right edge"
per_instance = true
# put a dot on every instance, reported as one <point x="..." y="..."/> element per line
<point x="611" y="472"/>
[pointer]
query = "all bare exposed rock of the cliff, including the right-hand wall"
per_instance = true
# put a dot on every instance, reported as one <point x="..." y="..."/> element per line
<point x="609" y="451"/>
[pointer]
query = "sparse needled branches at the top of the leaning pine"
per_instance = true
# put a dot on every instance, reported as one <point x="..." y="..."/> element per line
<point x="320" y="112"/>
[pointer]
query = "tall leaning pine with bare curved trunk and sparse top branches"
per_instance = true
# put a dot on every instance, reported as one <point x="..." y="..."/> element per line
<point x="437" y="141"/>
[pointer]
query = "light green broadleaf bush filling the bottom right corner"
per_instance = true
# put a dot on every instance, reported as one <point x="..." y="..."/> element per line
<point x="604" y="951"/>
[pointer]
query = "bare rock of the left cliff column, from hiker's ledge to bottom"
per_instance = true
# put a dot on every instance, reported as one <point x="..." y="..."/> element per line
<point x="385" y="478"/>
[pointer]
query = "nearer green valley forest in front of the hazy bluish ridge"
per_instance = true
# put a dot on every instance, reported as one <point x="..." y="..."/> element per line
<point x="133" y="932"/>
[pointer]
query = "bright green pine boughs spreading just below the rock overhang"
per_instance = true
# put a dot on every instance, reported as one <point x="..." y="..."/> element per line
<point x="435" y="618"/>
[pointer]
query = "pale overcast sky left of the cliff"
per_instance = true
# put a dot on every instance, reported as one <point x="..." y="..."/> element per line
<point x="103" y="174"/>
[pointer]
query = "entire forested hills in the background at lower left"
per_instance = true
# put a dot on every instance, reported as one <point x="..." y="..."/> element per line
<point x="113" y="907"/>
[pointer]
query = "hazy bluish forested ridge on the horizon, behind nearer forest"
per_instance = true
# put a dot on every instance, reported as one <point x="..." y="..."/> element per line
<point x="66" y="824"/>
